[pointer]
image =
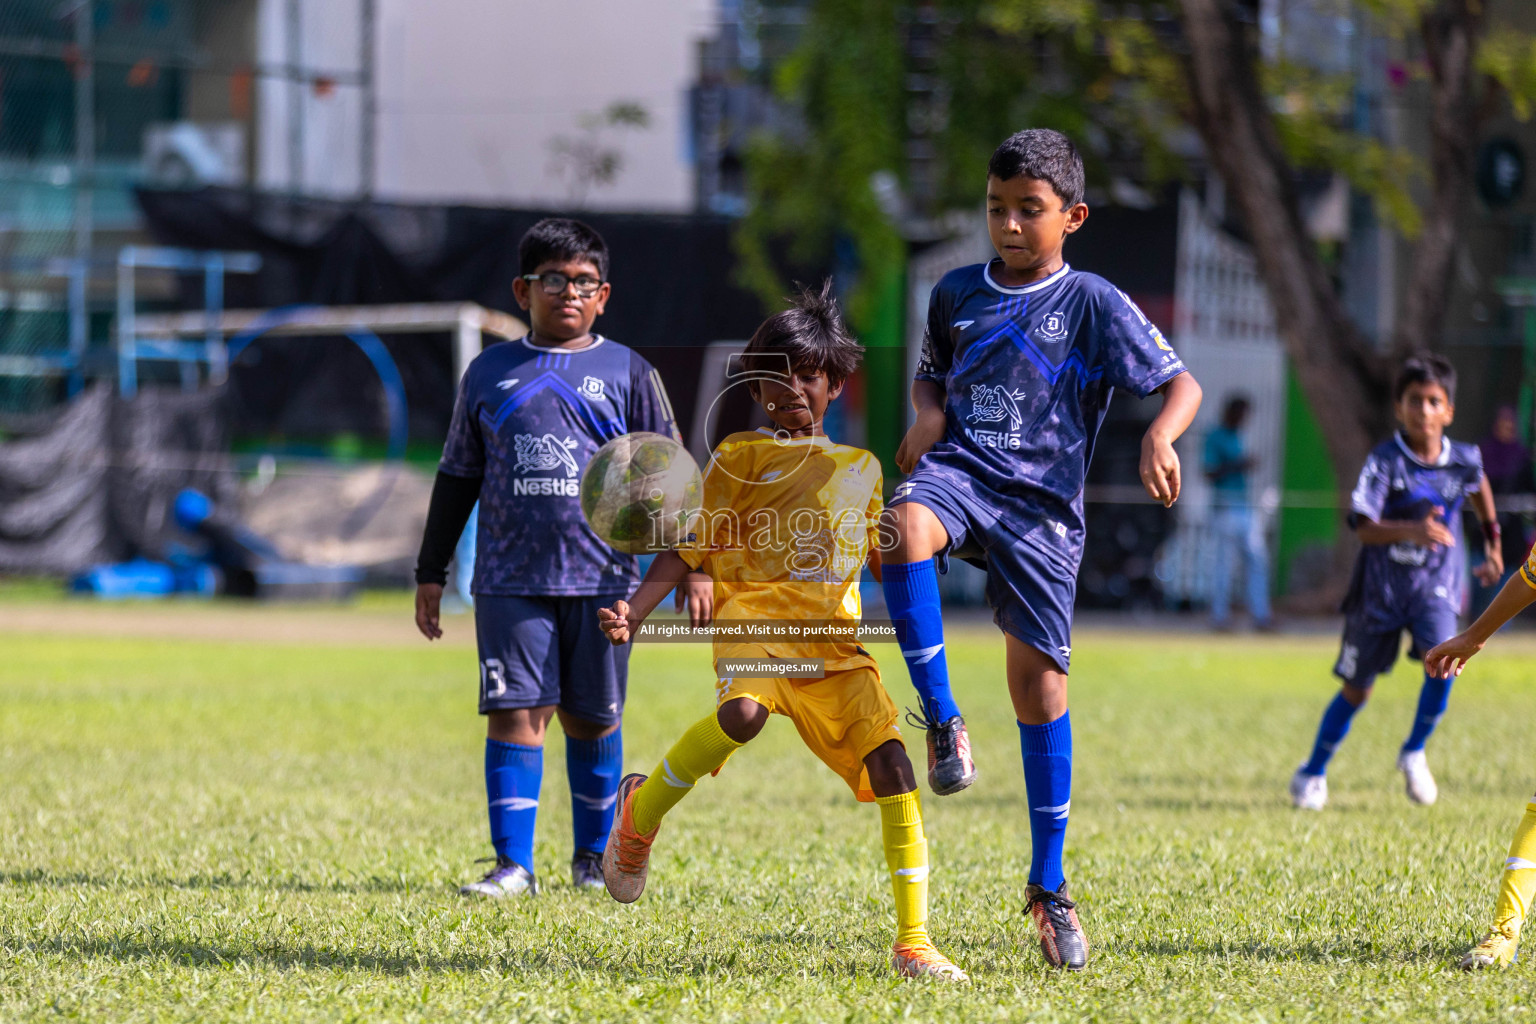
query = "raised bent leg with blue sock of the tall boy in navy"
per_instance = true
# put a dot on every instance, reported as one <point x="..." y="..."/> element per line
<point x="912" y="598"/>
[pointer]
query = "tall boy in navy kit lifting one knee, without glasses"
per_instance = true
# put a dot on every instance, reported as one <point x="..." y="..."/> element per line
<point x="1019" y="365"/>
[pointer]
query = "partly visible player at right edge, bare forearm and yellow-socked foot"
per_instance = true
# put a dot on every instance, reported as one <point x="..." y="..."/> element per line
<point x="1518" y="885"/>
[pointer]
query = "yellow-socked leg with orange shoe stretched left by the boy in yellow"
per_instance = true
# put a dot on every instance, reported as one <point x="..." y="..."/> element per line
<point x="644" y="801"/>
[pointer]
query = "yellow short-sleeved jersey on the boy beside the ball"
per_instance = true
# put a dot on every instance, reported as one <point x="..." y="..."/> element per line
<point x="787" y="526"/>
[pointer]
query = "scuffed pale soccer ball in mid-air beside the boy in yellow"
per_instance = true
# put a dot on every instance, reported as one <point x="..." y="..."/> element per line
<point x="640" y="492"/>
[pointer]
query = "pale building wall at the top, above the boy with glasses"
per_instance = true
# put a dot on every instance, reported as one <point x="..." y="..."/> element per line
<point x="474" y="99"/>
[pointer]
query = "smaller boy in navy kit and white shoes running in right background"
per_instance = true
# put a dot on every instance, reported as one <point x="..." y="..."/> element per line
<point x="1406" y="512"/>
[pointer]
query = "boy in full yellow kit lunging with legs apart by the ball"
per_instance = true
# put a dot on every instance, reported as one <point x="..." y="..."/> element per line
<point x="789" y="523"/>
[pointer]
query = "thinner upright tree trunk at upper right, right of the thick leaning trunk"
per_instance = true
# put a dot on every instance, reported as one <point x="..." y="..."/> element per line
<point x="1451" y="31"/>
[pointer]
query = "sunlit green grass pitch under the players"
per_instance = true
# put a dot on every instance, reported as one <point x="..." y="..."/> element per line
<point x="274" y="830"/>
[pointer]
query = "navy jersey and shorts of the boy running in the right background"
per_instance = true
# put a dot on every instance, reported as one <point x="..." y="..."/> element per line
<point x="1394" y="581"/>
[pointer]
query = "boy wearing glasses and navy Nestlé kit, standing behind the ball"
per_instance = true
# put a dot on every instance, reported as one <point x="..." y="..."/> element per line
<point x="529" y="417"/>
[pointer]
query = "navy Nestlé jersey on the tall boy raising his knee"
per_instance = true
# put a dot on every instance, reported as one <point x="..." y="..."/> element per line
<point x="1028" y="374"/>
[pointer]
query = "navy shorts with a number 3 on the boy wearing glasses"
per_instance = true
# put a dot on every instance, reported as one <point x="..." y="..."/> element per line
<point x="540" y="652"/>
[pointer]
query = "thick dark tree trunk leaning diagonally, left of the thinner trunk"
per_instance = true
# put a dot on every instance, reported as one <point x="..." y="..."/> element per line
<point x="1343" y="378"/>
